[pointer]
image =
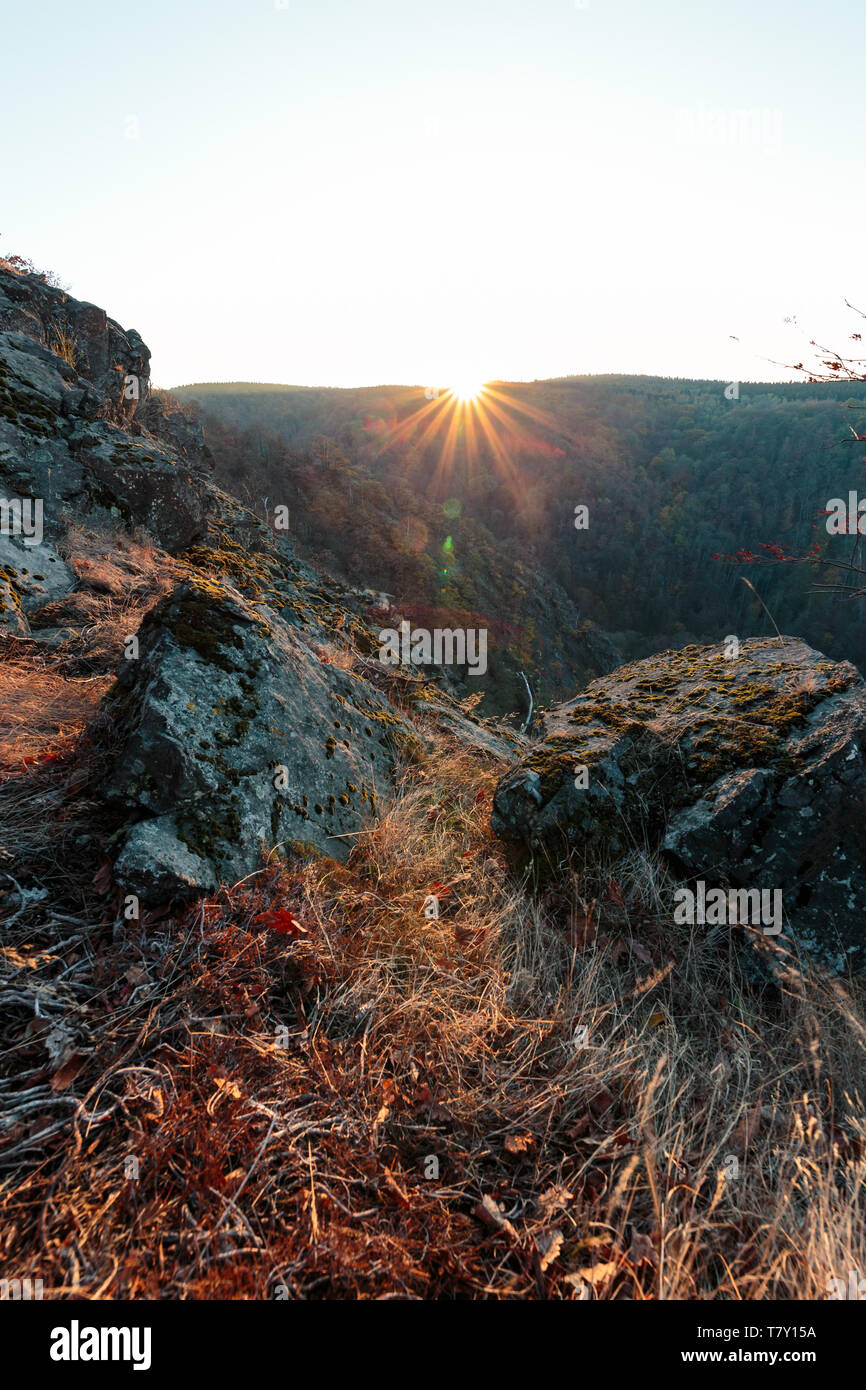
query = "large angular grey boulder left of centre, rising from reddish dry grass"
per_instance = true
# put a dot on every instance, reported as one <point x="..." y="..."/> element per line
<point x="231" y="739"/>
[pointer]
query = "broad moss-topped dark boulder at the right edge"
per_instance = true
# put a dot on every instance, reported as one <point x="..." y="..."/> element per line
<point x="746" y="772"/>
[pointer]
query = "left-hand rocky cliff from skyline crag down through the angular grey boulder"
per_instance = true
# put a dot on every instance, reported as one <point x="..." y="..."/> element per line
<point x="237" y="728"/>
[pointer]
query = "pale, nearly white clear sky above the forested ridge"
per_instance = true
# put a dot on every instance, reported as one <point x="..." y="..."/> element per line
<point x="387" y="191"/>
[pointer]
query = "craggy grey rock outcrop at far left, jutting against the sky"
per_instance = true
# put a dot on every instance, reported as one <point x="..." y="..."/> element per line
<point x="83" y="437"/>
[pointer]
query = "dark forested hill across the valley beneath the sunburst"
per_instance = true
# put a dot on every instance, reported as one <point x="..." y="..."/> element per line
<point x="473" y="507"/>
